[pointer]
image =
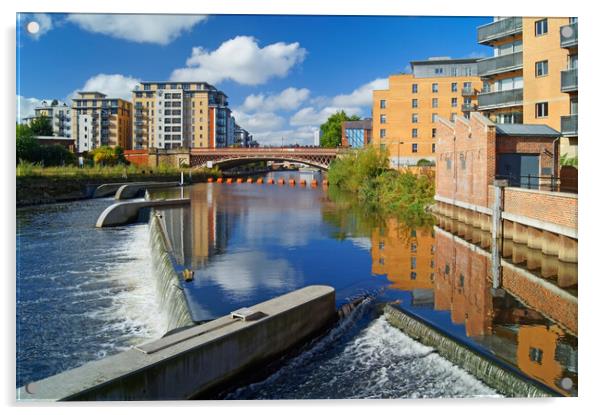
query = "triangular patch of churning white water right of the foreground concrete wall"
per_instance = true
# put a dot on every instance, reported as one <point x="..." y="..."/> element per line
<point x="364" y="357"/>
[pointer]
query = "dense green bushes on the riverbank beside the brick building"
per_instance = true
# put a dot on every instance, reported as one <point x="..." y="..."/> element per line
<point x="366" y="174"/>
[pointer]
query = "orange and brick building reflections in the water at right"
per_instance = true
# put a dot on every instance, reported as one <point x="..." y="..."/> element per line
<point x="450" y="270"/>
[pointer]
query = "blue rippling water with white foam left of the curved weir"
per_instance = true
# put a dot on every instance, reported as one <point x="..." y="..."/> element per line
<point x="82" y="293"/>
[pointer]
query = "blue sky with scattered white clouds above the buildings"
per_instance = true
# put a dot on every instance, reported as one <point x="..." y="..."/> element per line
<point x="284" y="75"/>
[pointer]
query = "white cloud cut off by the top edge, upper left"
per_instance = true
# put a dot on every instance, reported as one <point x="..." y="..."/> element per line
<point x="141" y="28"/>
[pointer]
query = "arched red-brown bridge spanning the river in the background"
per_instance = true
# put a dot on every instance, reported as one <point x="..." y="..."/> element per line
<point x="232" y="157"/>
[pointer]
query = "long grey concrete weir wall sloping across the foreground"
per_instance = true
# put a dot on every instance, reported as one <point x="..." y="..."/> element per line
<point x="192" y="361"/>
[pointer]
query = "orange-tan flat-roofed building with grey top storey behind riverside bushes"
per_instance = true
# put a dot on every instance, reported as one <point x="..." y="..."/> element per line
<point x="405" y="114"/>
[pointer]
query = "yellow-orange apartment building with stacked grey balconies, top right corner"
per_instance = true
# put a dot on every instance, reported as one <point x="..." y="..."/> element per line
<point x="532" y="76"/>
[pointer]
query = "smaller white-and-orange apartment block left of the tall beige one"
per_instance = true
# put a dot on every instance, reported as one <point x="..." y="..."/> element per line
<point x="97" y="120"/>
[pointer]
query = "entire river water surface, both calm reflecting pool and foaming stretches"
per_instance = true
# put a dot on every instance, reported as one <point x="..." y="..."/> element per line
<point x="247" y="243"/>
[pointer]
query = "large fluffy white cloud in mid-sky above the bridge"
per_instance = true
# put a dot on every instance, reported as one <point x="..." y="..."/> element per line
<point x="241" y="60"/>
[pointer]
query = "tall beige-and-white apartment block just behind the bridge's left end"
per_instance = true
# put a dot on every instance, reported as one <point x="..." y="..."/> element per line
<point x="181" y="115"/>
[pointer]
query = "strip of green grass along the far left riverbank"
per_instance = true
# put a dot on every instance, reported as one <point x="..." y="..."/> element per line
<point x="32" y="170"/>
